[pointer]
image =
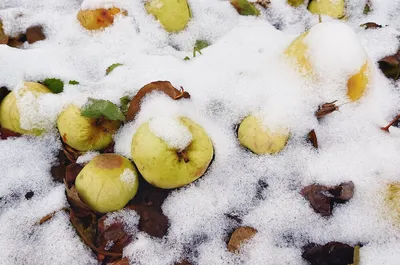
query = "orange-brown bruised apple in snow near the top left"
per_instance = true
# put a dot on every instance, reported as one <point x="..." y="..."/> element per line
<point x="98" y="18"/>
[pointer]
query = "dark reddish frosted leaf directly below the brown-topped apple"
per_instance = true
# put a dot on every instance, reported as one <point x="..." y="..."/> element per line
<point x="113" y="234"/>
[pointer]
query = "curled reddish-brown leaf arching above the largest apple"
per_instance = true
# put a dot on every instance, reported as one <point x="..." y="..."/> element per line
<point x="162" y="86"/>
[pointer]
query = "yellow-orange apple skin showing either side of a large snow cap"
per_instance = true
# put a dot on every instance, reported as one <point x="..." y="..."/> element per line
<point x="356" y="84"/>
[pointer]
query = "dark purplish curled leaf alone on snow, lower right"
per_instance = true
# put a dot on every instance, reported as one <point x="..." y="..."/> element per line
<point x="322" y="198"/>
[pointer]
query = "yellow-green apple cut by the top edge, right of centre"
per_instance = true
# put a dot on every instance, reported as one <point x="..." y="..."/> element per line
<point x="333" y="8"/>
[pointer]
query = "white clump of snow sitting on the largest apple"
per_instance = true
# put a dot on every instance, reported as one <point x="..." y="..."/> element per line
<point x="172" y="131"/>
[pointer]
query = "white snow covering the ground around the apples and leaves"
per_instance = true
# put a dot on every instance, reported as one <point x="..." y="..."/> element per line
<point x="242" y="72"/>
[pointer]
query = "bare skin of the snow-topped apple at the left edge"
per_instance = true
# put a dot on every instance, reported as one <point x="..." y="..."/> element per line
<point x="9" y="113"/>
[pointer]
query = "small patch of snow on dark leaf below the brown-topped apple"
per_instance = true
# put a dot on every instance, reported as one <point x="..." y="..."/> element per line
<point x="128" y="218"/>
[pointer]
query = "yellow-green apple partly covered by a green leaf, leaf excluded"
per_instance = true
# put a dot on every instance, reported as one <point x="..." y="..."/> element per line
<point x="84" y="133"/>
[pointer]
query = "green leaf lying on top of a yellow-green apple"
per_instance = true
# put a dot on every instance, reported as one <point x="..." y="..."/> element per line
<point x="97" y="108"/>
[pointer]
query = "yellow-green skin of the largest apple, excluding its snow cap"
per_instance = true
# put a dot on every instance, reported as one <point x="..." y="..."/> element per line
<point x="161" y="166"/>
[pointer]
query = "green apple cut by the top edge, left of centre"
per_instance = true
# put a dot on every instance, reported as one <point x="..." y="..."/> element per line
<point x="174" y="15"/>
